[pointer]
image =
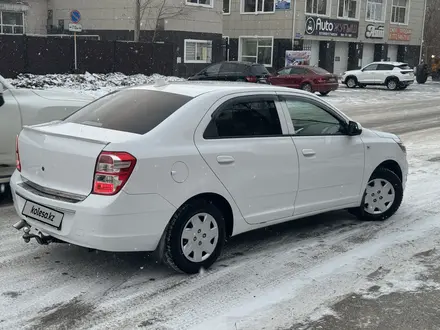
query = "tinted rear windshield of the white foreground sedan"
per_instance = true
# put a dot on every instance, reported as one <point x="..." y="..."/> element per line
<point x="131" y="110"/>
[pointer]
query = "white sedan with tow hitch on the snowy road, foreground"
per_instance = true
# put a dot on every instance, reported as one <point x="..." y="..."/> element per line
<point x="179" y="168"/>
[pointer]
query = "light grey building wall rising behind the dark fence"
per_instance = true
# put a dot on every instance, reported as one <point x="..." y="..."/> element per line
<point x="194" y="26"/>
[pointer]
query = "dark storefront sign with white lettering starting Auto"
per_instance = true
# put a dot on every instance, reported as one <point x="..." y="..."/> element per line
<point x="318" y="26"/>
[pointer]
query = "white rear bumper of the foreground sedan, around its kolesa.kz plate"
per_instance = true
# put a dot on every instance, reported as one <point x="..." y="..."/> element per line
<point x="121" y="223"/>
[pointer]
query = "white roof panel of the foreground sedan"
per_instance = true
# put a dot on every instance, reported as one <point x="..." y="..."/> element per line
<point x="197" y="88"/>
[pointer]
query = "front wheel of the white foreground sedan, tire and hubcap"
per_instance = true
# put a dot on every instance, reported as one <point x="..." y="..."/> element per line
<point x="389" y="188"/>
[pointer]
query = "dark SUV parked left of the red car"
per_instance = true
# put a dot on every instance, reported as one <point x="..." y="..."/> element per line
<point x="234" y="71"/>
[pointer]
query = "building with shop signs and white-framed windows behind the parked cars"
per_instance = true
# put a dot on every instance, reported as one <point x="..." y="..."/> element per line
<point x="341" y="34"/>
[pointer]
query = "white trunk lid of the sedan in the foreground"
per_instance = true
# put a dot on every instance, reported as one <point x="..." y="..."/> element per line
<point x="62" y="156"/>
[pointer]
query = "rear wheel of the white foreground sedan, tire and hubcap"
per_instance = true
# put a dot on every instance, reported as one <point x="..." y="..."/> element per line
<point x="188" y="226"/>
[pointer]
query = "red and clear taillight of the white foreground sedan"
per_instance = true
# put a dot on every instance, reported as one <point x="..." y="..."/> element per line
<point x="113" y="169"/>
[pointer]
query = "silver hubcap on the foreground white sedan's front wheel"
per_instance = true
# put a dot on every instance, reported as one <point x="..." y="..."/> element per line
<point x="379" y="196"/>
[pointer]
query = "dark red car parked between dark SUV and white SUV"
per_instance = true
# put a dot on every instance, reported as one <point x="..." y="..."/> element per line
<point x="308" y="78"/>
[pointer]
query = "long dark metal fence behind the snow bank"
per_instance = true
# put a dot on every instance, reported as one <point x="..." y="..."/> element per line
<point x="43" y="55"/>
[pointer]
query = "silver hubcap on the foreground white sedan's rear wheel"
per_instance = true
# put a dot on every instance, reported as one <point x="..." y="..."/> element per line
<point x="199" y="237"/>
